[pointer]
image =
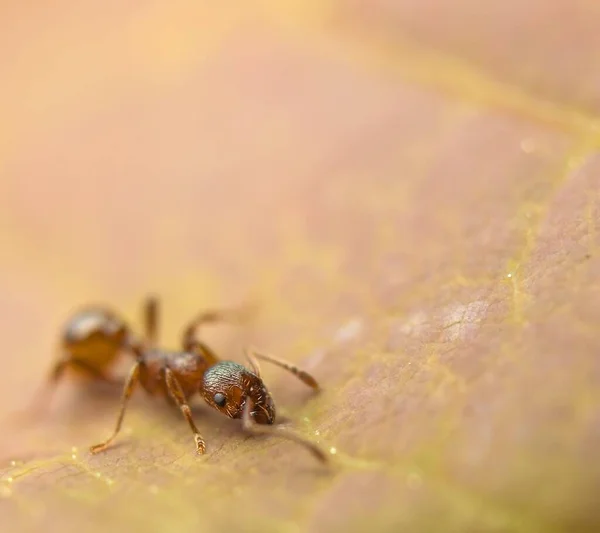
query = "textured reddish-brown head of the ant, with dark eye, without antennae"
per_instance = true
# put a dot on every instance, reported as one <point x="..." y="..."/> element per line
<point x="228" y="385"/>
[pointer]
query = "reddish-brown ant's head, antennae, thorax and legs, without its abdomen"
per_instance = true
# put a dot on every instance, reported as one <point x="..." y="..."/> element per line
<point x="228" y="387"/>
